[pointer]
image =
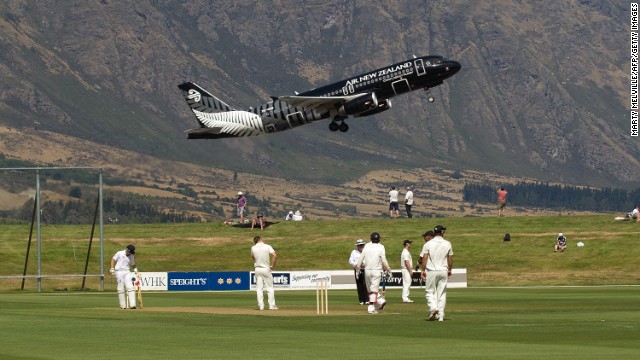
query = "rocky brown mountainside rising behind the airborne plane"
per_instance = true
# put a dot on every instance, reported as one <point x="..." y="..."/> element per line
<point x="542" y="92"/>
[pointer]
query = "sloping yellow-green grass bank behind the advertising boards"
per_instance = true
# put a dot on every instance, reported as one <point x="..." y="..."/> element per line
<point x="611" y="254"/>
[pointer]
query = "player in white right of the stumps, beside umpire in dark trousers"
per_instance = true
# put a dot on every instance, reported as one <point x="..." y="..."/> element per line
<point x="375" y="260"/>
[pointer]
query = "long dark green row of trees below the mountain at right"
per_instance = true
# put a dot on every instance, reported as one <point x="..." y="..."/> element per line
<point x="543" y="195"/>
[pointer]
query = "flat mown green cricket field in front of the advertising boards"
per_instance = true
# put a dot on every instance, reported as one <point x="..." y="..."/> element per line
<point x="481" y="323"/>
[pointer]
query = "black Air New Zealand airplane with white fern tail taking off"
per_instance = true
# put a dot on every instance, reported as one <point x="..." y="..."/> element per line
<point x="363" y="95"/>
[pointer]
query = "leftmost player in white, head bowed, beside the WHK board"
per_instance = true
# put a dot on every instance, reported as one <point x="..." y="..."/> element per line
<point x="121" y="262"/>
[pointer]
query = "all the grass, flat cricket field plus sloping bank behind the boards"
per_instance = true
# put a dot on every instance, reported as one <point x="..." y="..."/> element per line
<point x="514" y="307"/>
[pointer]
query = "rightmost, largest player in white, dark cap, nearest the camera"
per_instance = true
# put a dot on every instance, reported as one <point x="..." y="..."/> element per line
<point x="436" y="270"/>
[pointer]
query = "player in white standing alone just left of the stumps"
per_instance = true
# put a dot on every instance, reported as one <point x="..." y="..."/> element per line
<point x="264" y="258"/>
